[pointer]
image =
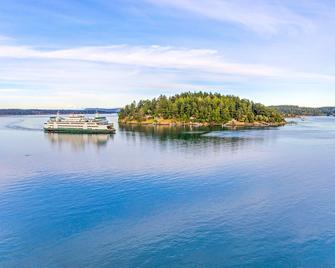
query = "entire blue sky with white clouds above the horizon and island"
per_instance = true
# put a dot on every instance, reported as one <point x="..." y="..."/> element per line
<point x="107" y="53"/>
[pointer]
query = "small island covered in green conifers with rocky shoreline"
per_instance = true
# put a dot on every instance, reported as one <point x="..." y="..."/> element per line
<point x="200" y="108"/>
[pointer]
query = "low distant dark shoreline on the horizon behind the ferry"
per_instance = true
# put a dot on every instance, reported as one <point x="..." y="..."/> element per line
<point x="53" y="111"/>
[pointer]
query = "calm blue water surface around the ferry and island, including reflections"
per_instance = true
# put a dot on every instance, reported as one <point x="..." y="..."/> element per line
<point x="162" y="197"/>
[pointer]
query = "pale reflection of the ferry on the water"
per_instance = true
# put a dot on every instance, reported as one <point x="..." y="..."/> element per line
<point x="78" y="141"/>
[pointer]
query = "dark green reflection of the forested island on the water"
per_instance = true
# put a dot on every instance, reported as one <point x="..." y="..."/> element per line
<point x="204" y="138"/>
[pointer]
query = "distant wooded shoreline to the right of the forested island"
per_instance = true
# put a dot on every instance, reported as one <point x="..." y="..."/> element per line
<point x="293" y="110"/>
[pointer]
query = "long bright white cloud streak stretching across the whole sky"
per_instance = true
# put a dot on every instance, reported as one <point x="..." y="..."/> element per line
<point x="157" y="57"/>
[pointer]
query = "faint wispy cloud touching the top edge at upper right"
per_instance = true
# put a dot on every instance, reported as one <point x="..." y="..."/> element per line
<point x="264" y="16"/>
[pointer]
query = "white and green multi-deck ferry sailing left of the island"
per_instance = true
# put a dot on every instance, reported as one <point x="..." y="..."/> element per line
<point x="79" y="124"/>
